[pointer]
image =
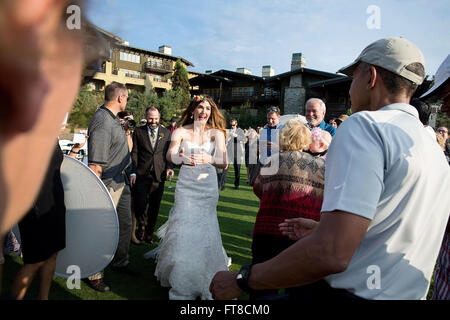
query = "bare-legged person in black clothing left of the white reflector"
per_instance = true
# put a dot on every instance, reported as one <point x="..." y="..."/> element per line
<point x="43" y="233"/>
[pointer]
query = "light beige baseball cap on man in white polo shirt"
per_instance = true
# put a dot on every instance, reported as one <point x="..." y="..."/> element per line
<point x="392" y="54"/>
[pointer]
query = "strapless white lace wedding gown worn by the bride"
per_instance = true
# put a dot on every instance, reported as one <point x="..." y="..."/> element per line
<point x="191" y="252"/>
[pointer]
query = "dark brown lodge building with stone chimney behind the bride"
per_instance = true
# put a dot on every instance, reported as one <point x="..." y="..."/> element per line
<point x="289" y="91"/>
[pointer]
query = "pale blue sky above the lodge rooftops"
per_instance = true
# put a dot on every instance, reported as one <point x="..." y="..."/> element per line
<point x="229" y="34"/>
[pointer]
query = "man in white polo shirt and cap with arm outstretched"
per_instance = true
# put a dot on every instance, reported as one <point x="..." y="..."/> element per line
<point x="386" y="198"/>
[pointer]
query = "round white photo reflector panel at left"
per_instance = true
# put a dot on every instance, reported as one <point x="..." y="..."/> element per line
<point x="92" y="226"/>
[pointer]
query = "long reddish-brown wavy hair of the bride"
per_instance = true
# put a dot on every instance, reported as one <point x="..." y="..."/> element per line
<point x="216" y="119"/>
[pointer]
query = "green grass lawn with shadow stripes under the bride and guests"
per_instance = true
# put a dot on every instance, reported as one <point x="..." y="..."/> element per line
<point x="236" y="211"/>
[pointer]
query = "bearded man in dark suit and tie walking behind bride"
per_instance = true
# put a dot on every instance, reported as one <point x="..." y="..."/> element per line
<point x="150" y="145"/>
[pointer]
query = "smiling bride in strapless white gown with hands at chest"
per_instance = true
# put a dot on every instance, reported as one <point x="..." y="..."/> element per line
<point x="191" y="252"/>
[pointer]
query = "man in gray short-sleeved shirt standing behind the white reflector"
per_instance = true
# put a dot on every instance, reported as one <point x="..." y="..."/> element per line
<point x="109" y="156"/>
